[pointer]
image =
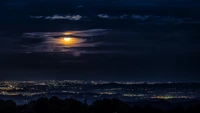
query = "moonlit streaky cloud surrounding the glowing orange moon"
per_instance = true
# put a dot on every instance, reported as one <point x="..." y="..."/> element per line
<point x="68" y="41"/>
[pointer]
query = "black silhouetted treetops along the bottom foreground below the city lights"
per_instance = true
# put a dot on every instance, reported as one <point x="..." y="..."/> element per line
<point x="55" y="105"/>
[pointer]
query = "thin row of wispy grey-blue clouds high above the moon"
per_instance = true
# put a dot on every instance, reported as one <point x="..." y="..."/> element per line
<point x="133" y="17"/>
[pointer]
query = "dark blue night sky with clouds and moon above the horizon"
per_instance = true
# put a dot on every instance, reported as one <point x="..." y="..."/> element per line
<point x="130" y="40"/>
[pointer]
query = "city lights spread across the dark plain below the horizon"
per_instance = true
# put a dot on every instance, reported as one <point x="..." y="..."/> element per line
<point x="25" y="91"/>
